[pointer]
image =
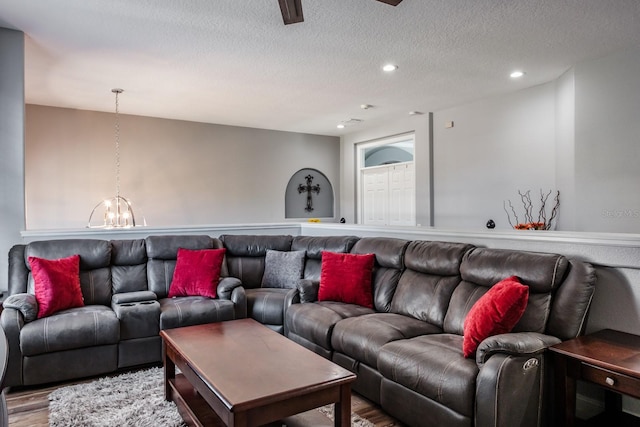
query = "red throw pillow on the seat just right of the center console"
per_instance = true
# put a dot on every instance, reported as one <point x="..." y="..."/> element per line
<point x="197" y="272"/>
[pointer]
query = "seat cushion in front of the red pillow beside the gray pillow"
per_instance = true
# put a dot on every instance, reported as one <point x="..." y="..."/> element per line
<point x="315" y="321"/>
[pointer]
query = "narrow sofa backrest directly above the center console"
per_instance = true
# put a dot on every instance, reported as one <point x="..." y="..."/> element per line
<point x="128" y="265"/>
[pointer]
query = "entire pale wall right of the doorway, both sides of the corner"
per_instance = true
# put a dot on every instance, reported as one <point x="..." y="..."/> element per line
<point x="579" y="134"/>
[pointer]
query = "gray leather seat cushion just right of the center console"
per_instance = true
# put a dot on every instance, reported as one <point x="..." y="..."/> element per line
<point x="195" y="310"/>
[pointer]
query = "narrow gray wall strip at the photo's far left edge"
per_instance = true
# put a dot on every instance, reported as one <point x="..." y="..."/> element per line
<point x="11" y="143"/>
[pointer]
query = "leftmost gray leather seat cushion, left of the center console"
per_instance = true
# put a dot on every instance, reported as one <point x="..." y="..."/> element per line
<point x="78" y="327"/>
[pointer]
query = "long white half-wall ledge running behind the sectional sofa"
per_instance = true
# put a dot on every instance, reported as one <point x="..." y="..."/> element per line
<point x="608" y="249"/>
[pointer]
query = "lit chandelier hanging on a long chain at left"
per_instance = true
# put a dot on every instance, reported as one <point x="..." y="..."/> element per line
<point x="116" y="211"/>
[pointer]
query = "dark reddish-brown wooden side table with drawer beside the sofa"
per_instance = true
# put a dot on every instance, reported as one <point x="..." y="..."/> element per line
<point x="608" y="358"/>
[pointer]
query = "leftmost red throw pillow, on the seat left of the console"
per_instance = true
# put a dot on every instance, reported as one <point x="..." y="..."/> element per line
<point x="56" y="284"/>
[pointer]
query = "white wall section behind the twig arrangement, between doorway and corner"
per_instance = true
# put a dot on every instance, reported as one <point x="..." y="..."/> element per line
<point x="495" y="148"/>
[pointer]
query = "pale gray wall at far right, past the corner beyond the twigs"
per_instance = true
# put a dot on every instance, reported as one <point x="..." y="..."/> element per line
<point x="608" y="143"/>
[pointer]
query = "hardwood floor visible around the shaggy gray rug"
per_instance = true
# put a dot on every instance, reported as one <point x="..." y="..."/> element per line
<point x="29" y="407"/>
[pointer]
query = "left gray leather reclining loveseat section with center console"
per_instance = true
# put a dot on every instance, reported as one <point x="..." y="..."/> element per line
<point x="124" y="286"/>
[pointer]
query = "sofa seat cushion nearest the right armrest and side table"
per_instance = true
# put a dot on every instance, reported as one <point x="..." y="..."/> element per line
<point x="433" y="366"/>
